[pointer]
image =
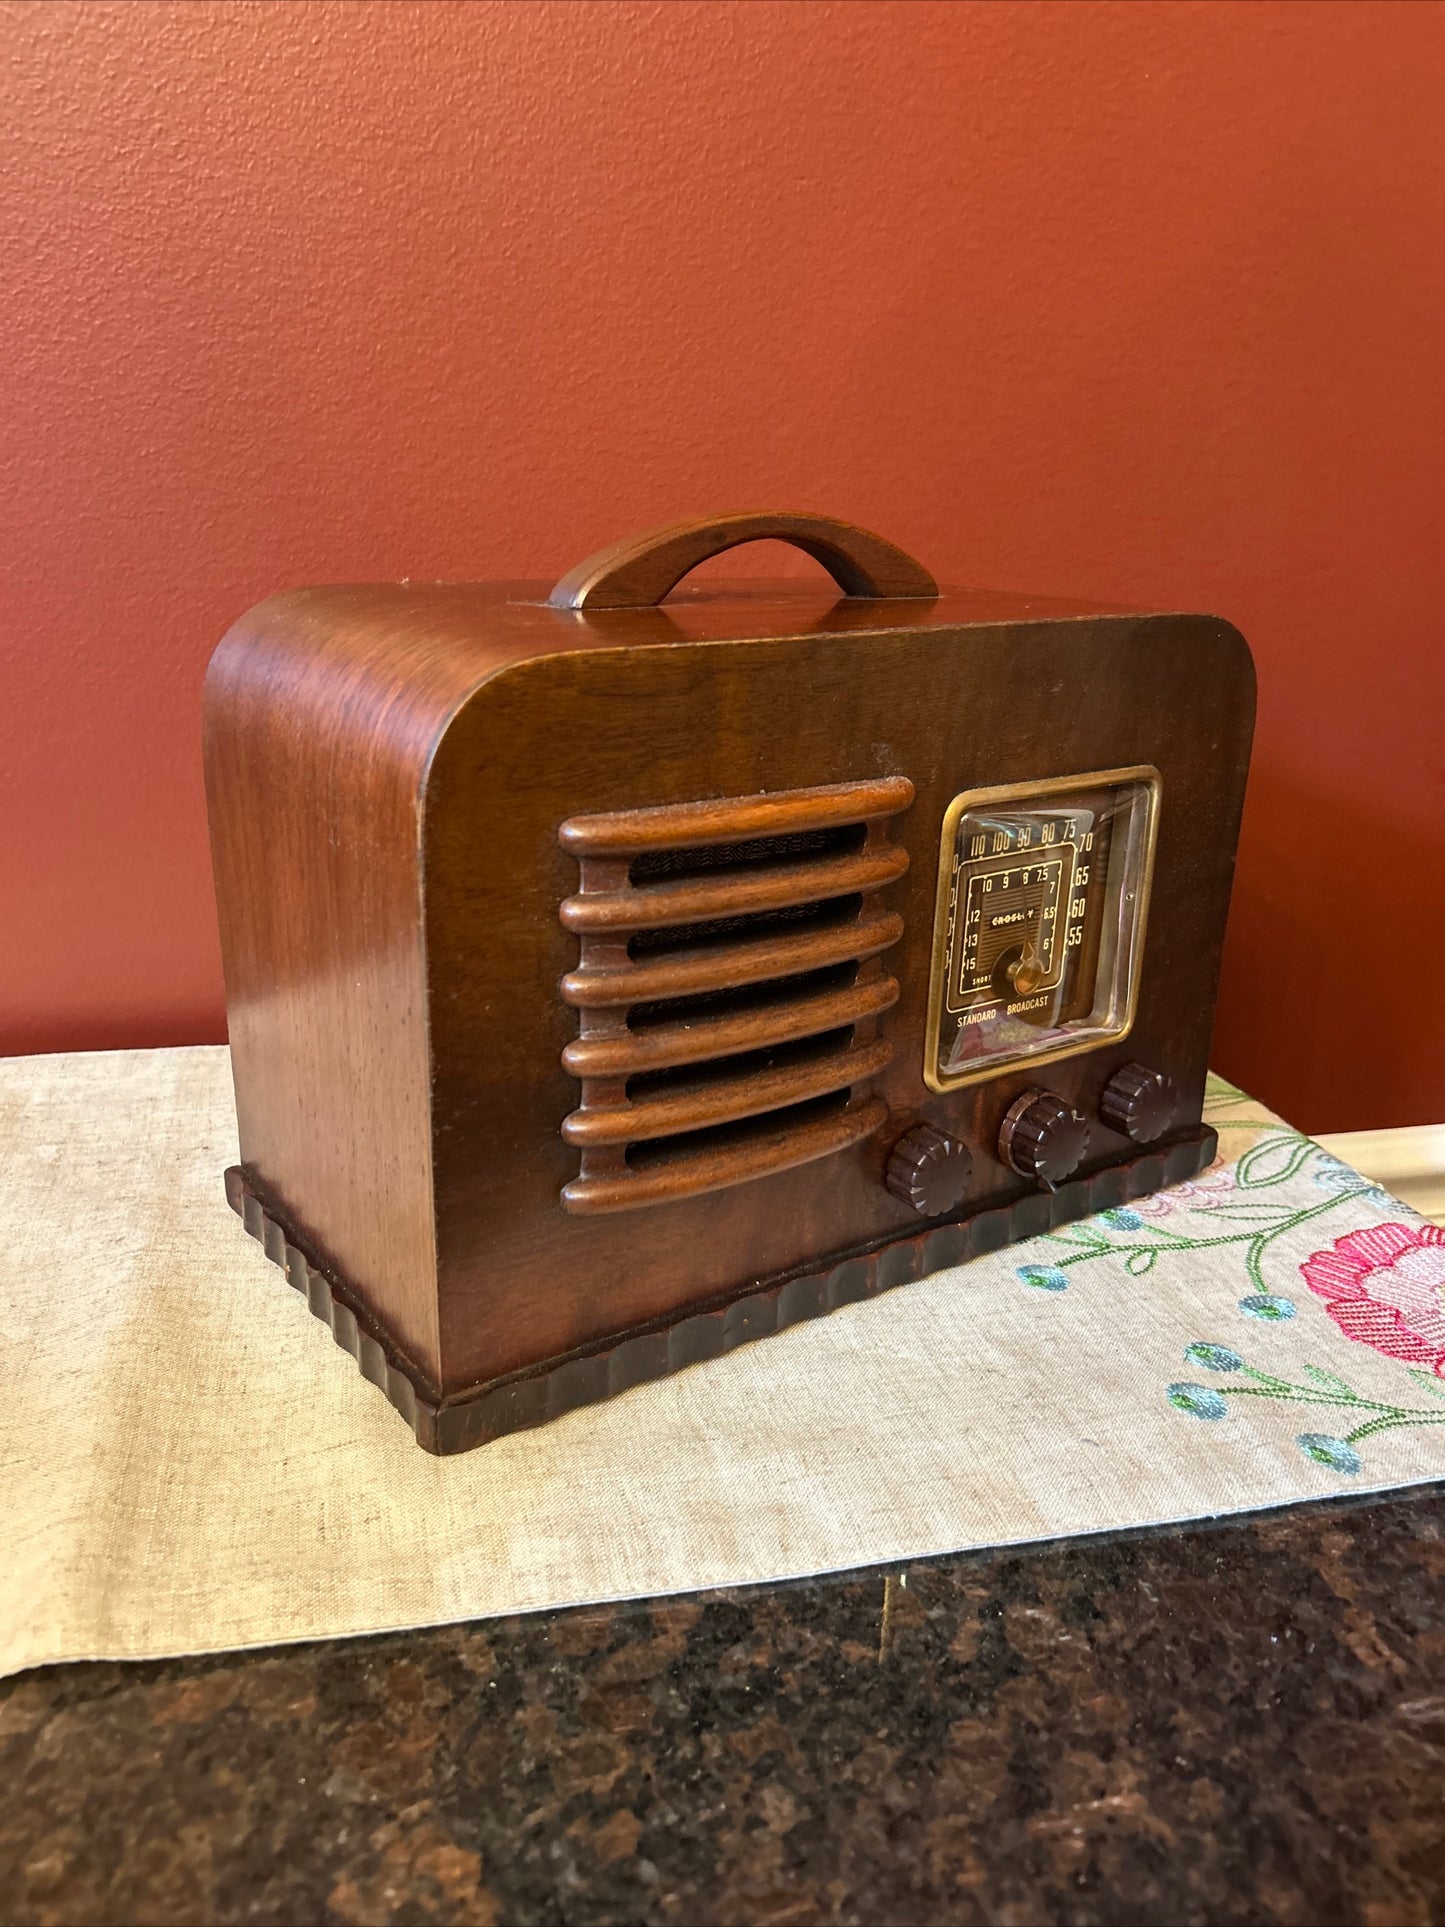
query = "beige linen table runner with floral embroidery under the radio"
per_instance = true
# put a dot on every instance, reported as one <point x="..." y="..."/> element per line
<point x="190" y="1464"/>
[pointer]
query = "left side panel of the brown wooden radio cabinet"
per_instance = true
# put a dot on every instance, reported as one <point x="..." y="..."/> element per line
<point x="321" y="936"/>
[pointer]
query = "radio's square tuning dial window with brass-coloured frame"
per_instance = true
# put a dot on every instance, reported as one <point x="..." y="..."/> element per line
<point x="1043" y="893"/>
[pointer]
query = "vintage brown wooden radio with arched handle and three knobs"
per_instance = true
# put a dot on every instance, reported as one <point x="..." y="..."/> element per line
<point x="617" y="980"/>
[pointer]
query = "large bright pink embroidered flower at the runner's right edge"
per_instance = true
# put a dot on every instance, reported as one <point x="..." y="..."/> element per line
<point x="1386" y="1288"/>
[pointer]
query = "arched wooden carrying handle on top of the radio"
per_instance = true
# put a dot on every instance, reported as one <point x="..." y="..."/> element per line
<point x="633" y="575"/>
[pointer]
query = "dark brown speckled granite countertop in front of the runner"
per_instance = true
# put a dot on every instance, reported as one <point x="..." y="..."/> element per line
<point x="1219" y="1724"/>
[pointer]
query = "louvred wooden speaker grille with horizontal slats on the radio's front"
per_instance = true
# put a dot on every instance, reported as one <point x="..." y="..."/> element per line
<point x="729" y="988"/>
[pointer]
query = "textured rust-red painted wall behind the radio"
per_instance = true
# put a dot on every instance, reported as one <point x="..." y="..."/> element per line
<point x="1128" y="302"/>
